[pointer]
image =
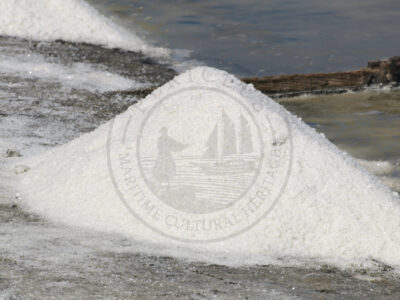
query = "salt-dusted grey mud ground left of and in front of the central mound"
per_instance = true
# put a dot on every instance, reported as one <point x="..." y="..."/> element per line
<point x="42" y="260"/>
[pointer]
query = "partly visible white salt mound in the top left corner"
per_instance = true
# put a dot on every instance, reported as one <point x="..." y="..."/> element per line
<point x="68" y="20"/>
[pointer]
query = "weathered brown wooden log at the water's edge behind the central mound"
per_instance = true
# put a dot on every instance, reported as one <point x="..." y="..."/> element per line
<point x="378" y="72"/>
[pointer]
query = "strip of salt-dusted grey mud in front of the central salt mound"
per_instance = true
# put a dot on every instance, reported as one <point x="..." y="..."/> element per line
<point x="46" y="261"/>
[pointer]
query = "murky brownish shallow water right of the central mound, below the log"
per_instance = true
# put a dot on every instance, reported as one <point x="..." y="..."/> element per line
<point x="366" y="125"/>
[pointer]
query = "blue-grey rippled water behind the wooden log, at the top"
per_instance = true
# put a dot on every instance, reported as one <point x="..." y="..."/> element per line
<point x="268" y="37"/>
